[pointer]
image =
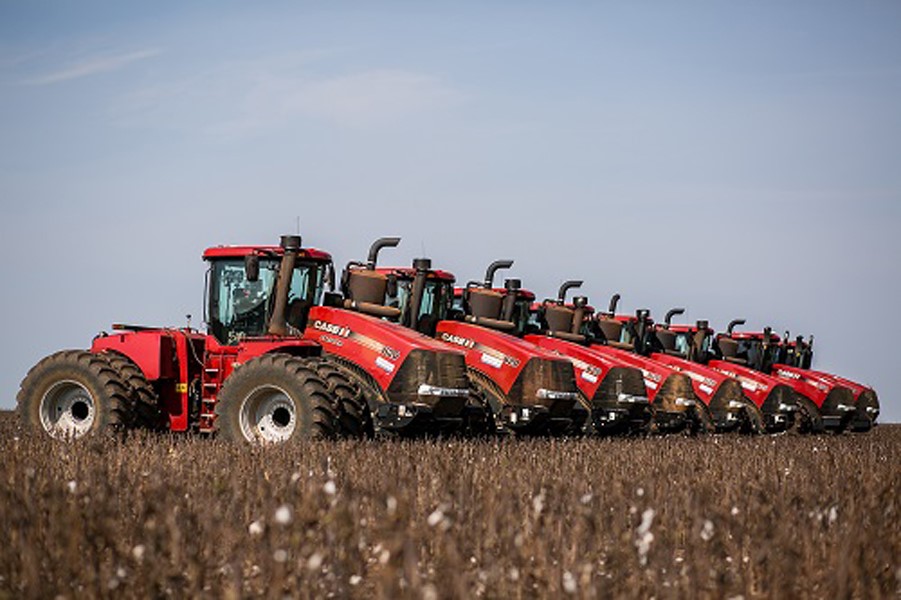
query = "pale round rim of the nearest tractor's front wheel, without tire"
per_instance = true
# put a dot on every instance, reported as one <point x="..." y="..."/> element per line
<point x="268" y="415"/>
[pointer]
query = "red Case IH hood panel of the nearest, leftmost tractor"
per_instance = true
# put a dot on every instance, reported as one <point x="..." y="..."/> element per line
<point x="376" y="345"/>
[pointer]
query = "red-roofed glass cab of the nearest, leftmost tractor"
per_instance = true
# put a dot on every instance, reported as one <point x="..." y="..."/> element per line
<point x="242" y="296"/>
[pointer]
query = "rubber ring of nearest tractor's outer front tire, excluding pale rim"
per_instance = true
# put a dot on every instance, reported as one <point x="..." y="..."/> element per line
<point x="314" y="408"/>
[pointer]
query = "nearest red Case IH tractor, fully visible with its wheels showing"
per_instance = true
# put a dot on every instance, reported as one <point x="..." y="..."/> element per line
<point x="259" y="374"/>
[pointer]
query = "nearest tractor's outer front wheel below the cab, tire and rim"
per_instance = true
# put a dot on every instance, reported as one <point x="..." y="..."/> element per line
<point x="275" y="398"/>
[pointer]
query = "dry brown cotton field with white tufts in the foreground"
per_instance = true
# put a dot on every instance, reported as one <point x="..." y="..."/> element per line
<point x="717" y="516"/>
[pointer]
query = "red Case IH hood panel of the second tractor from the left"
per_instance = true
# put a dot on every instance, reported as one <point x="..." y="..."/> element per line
<point x="500" y="356"/>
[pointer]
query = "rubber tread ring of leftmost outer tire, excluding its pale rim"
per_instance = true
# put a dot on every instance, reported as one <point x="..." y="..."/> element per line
<point x="105" y="384"/>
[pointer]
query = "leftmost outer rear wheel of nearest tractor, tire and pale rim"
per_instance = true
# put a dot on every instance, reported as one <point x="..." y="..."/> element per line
<point x="73" y="394"/>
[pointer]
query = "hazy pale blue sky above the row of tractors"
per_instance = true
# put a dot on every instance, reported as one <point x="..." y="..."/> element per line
<point x="735" y="158"/>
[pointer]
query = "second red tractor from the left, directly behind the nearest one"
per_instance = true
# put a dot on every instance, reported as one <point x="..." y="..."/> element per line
<point x="524" y="389"/>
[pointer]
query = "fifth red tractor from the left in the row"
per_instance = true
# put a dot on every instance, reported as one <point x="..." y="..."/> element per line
<point x="725" y="406"/>
